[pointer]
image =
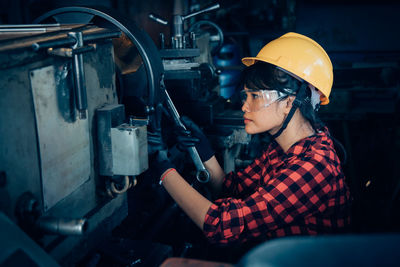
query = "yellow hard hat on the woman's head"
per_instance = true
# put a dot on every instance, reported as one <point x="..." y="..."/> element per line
<point x="300" y="56"/>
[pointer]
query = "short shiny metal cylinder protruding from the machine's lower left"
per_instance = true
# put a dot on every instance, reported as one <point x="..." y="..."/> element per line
<point x="62" y="226"/>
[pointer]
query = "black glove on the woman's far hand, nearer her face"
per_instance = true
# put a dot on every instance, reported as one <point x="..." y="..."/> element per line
<point x="196" y="138"/>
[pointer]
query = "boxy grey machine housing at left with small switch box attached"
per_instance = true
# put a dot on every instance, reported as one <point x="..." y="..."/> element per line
<point x="67" y="155"/>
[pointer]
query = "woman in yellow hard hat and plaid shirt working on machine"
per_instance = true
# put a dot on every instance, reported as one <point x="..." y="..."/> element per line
<point x="297" y="186"/>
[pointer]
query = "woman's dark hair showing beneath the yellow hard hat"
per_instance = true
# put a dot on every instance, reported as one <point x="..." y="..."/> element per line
<point x="265" y="76"/>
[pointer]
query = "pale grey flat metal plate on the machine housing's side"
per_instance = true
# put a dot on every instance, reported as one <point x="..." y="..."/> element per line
<point x="63" y="144"/>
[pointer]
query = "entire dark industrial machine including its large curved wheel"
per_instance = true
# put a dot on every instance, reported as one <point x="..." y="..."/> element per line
<point x="82" y="90"/>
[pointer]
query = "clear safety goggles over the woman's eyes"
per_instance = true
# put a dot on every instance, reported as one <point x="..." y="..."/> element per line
<point x="259" y="99"/>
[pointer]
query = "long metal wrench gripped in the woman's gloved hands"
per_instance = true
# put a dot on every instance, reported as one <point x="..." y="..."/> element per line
<point x="202" y="175"/>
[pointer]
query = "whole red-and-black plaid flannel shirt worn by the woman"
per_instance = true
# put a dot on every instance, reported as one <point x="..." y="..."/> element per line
<point x="300" y="192"/>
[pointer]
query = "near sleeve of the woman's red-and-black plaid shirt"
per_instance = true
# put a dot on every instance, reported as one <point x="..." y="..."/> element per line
<point x="289" y="203"/>
